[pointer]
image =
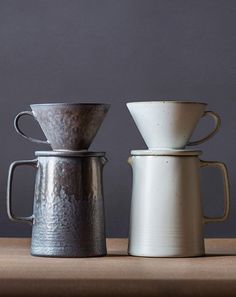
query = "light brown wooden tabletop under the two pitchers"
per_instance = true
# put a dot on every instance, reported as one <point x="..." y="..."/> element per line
<point x="117" y="274"/>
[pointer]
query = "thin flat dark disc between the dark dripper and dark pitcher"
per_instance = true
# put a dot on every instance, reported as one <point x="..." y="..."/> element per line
<point x="82" y="153"/>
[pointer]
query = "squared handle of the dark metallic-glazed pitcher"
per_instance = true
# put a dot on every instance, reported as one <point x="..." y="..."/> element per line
<point x="9" y="190"/>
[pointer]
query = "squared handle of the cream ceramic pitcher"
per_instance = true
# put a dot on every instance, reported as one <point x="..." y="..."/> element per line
<point x="225" y="175"/>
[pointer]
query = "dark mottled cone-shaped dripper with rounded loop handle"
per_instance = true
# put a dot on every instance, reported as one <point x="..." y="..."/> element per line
<point x="67" y="126"/>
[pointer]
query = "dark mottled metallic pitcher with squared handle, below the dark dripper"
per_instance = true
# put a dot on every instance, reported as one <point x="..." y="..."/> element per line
<point x="68" y="216"/>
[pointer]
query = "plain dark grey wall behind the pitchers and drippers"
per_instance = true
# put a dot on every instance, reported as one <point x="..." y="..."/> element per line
<point x="117" y="51"/>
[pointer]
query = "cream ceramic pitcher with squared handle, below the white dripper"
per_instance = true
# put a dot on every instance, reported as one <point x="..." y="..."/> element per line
<point x="166" y="210"/>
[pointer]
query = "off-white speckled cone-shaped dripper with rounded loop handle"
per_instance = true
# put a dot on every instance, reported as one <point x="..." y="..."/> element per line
<point x="170" y="124"/>
